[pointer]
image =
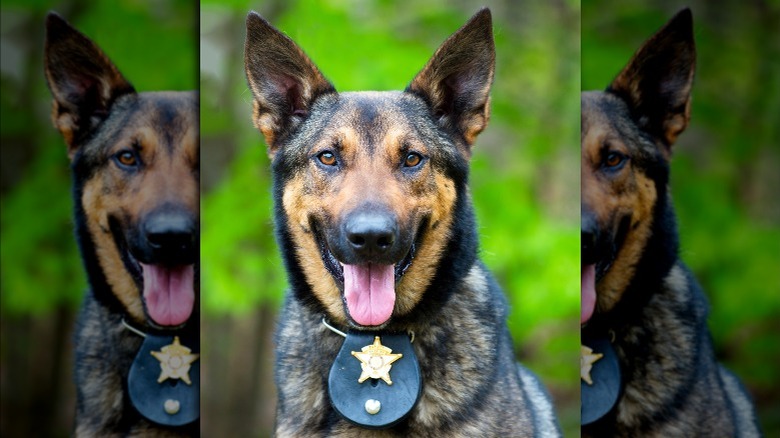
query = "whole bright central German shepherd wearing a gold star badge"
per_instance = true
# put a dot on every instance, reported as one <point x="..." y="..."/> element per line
<point x="377" y="232"/>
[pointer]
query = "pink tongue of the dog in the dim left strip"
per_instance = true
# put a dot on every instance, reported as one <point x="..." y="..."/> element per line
<point x="169" y="293"/>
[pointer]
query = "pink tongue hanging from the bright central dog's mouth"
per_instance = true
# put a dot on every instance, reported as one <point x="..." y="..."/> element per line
<point x="370" y="292"/>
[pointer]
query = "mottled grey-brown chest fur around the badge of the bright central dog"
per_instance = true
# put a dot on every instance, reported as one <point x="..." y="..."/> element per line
<point x="470" y="381"/>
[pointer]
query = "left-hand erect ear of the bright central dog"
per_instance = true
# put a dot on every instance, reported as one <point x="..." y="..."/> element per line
<point x="282" y="78"/>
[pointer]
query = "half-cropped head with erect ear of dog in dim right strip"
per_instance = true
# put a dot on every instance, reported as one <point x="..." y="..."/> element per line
<point x="627" y="134"/>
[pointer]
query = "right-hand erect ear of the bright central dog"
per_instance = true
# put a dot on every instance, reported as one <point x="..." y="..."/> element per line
<point x="456" y="81"/>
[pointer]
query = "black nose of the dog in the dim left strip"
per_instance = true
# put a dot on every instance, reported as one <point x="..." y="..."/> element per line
<point x="170" y="236"/>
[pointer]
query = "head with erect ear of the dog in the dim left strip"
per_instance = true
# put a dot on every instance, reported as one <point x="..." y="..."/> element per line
<point x="135" y="160"/>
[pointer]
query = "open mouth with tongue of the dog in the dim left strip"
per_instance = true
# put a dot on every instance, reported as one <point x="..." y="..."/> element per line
<point x="167" y="291"/>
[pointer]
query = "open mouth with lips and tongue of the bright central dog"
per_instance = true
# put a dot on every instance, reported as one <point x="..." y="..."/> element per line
<point x="368" y="289"/>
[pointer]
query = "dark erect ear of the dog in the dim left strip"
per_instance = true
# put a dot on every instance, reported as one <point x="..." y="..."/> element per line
<point x="82" y="80"/>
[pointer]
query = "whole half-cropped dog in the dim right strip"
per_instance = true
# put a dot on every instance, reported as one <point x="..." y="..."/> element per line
<point x="642" y="310"/>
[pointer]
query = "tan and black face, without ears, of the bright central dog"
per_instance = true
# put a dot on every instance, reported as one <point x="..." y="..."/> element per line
<point x="369" y="201"/>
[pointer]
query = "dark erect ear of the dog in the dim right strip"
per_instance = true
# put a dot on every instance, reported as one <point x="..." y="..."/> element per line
<point x="657" y="81"/>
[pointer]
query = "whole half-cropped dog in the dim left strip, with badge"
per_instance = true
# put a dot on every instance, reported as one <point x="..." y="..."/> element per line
<point x="135" y="165"/>
